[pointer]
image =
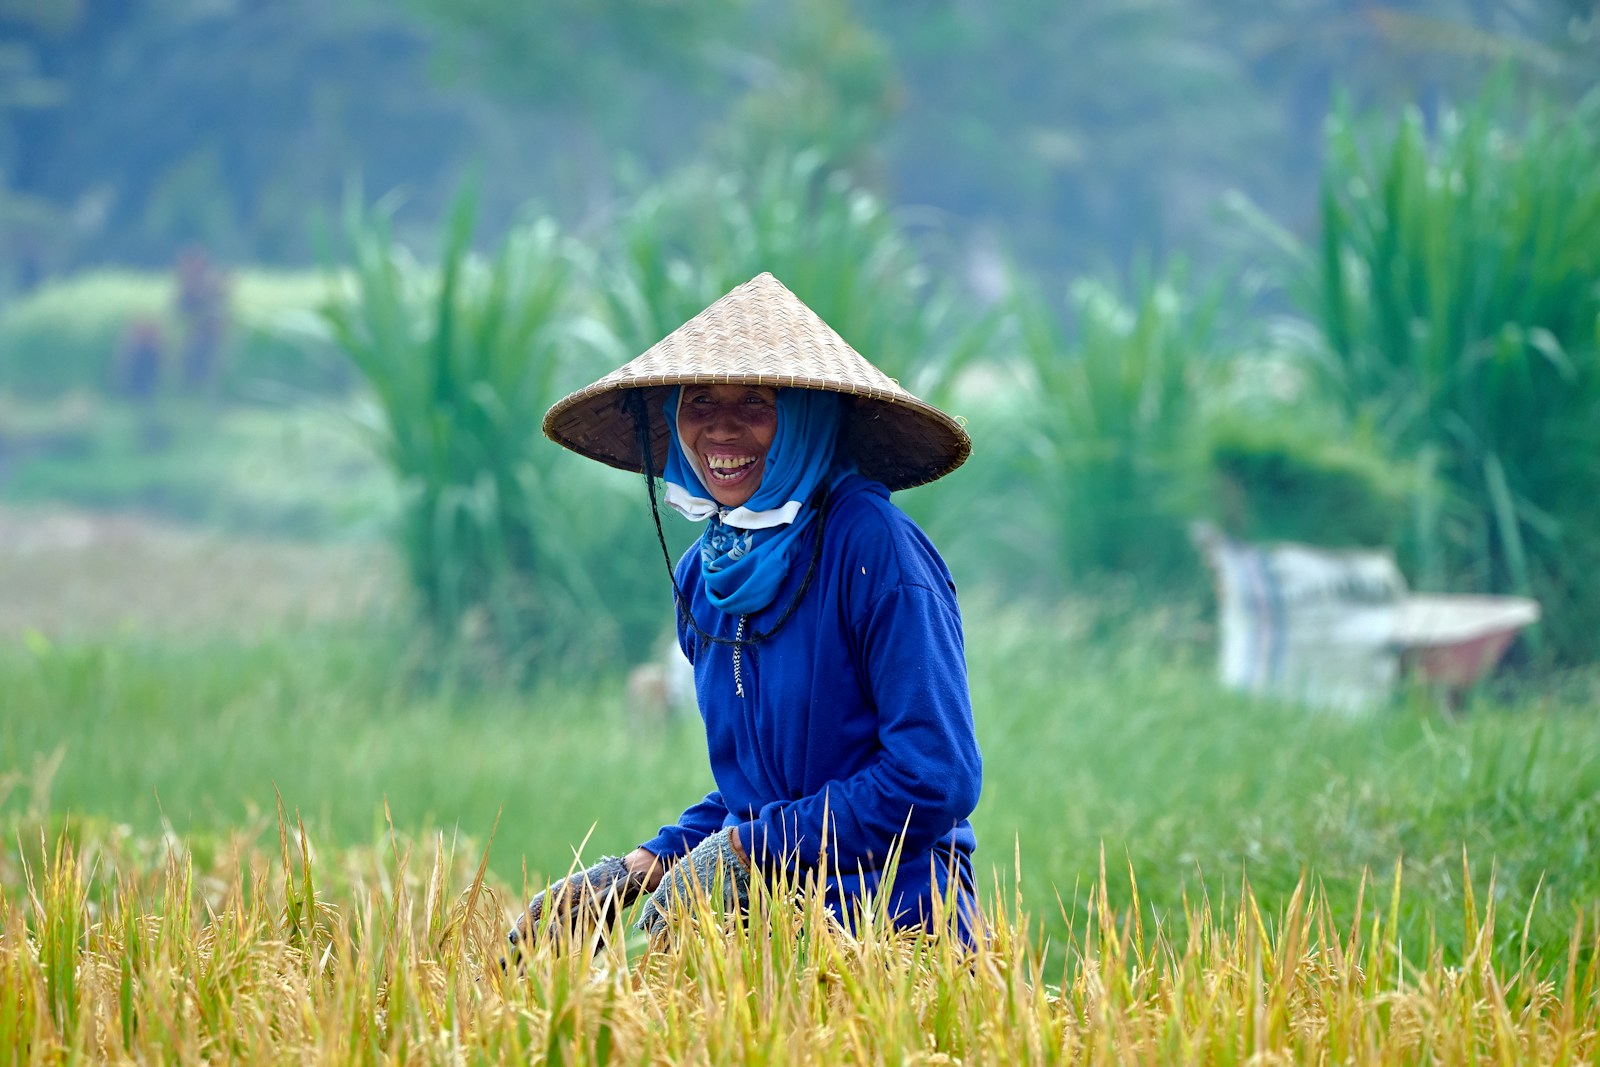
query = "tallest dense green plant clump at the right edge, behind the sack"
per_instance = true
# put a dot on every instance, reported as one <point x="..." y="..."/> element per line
<point x="1457" y="292"/>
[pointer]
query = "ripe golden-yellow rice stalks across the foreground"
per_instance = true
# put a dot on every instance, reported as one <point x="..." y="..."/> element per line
<point x="121" y="951"/>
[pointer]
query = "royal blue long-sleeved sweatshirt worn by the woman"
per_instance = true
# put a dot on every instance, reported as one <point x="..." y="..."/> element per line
<point x="855" y="732"/>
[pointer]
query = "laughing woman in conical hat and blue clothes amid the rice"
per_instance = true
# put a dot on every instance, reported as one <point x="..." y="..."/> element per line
<point x="822" y="623"/>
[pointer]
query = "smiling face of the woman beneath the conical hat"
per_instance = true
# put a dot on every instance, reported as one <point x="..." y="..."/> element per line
<point x="727" y="431"/>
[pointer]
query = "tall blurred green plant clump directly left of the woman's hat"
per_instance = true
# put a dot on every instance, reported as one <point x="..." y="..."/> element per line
<point x="510" y="551"/>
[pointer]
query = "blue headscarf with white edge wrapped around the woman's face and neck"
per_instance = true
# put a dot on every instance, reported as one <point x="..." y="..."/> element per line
<point x="746" y="551"/>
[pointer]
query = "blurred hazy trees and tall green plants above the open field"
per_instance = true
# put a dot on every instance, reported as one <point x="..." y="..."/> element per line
<point x="1126" y="239"/>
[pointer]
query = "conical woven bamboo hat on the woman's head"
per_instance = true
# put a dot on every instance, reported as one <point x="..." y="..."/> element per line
<point x="764" y="335"/>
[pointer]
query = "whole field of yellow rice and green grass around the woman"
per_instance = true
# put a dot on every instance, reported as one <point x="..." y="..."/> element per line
<point x="238" y="829"/>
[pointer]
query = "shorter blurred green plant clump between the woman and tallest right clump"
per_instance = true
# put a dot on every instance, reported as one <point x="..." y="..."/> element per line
<point x="1113" y="425"/>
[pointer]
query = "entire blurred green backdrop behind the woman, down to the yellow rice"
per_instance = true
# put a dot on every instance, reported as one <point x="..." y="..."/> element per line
<point x="286" y="289"/>
